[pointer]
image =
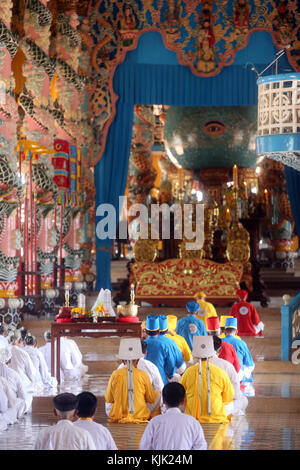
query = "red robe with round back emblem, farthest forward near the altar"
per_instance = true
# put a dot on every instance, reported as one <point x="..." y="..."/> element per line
<point x="247" y="317"/>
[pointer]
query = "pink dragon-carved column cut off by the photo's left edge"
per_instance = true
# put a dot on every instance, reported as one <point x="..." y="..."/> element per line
<point x="10" y="188"/>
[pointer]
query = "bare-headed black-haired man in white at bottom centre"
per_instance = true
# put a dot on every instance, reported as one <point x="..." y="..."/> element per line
<point x="173" y="430"/>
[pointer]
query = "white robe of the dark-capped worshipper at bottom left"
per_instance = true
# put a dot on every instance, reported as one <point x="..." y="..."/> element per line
<point x="64" y="436"/>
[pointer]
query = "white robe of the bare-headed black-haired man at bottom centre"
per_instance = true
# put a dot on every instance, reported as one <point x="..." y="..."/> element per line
<point x="173" y="430"/>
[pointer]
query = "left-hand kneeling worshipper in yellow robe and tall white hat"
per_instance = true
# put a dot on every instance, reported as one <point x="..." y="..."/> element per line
<point x="129" y="393"/>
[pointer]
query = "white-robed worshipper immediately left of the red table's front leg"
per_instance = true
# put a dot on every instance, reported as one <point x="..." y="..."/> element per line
<point x="43" y="377"/>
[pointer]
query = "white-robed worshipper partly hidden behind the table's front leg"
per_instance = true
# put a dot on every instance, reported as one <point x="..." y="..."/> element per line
<point x="67" y="370"/>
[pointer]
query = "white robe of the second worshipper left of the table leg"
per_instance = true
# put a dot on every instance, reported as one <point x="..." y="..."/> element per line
<point x="22" y="364"/>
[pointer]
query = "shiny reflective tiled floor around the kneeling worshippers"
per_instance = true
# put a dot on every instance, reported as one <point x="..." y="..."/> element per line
<point x="271" y="423"/>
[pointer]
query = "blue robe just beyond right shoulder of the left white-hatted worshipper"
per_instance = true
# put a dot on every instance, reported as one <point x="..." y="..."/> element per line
<point x="160" y="353"/>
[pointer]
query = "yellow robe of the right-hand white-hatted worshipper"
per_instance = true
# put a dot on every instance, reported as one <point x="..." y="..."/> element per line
<point x="221" y="393"/>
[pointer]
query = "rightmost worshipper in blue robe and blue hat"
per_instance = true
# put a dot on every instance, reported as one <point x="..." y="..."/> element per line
<point x="246" y="361"/>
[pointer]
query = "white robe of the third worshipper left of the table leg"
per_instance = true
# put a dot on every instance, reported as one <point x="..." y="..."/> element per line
<point x="21" y="398"/>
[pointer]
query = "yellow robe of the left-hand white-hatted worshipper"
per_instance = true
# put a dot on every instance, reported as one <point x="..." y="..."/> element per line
<point x="117" y="394"/>
